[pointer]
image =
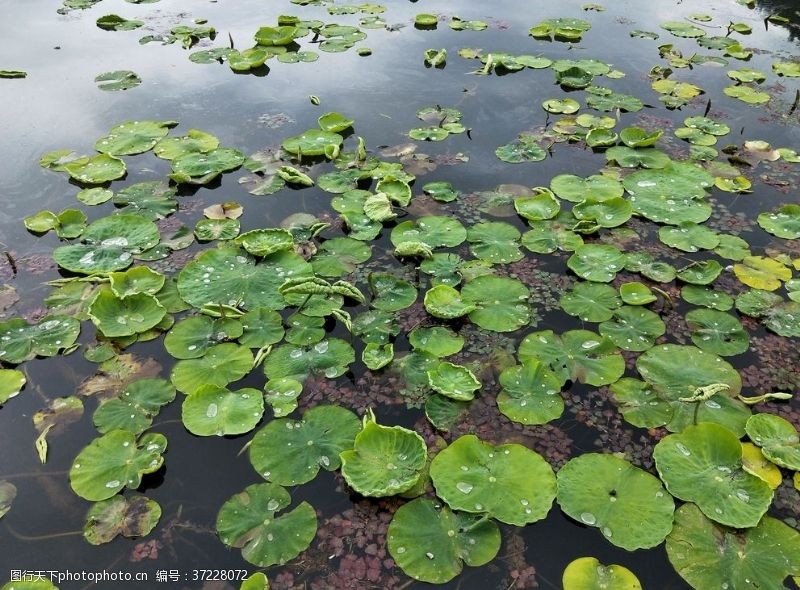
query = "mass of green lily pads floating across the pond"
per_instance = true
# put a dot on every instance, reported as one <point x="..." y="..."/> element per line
<point x="295" y="302"/>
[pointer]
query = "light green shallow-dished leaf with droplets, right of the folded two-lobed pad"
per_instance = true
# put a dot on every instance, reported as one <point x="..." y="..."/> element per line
<point x="211" y="410"/>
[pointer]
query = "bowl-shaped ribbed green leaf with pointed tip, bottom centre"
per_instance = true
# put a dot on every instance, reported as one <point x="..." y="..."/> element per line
<point x="384" y="460"/>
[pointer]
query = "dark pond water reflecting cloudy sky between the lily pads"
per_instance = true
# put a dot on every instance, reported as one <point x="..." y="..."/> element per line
<point x="58" y="106"/>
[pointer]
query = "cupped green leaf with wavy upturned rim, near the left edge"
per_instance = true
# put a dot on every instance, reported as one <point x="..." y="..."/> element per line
<point x="116" y="317"/>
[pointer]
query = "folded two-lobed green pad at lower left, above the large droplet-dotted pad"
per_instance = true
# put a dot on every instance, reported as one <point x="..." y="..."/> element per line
<point x="135" y="407"/>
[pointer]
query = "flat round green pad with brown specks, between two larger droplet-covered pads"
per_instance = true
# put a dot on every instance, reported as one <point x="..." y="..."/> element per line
<point x="603" y="491"/>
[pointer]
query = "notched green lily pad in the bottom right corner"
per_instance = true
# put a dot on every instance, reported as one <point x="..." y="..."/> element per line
<point x="709" y="556"/>
